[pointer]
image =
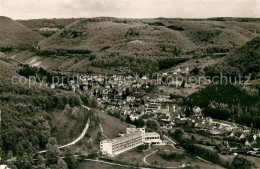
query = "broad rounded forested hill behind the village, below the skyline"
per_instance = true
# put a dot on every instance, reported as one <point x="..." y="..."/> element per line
<point x="140" y="45"/>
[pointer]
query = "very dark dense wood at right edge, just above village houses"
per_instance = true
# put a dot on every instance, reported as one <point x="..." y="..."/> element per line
<point x="228" y="102"/>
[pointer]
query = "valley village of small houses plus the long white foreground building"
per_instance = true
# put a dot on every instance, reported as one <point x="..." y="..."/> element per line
<point x="132" y="99"/>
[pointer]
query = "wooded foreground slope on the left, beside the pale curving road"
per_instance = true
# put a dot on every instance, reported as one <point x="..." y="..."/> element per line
<point x="26" y="118"/>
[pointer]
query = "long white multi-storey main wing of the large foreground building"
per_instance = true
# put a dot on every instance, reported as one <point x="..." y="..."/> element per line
<point x="112" y="147"/>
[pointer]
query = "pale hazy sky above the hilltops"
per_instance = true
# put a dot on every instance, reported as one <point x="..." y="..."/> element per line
<point x="34" y="9"/>
